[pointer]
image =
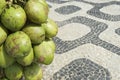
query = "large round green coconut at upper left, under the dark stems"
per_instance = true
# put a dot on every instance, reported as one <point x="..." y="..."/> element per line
<point x="13" y="18"/>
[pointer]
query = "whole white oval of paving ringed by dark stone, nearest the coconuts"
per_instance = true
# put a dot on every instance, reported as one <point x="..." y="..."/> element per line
<point x="73" y="31"/>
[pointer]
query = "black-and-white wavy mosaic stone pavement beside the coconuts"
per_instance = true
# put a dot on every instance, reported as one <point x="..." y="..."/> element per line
<point x="88" y="41"/>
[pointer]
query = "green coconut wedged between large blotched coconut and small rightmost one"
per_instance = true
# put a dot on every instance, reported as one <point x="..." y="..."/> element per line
<point x="35" y="32"/>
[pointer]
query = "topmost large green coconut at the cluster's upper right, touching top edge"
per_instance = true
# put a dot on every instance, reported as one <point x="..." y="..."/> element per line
<point x="38" y="13"/>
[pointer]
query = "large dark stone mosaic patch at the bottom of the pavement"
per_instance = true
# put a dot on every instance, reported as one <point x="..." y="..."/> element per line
<point x="98" y="72"/>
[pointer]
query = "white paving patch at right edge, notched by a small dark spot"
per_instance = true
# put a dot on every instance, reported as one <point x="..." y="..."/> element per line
<point x="109" y="34"/>
